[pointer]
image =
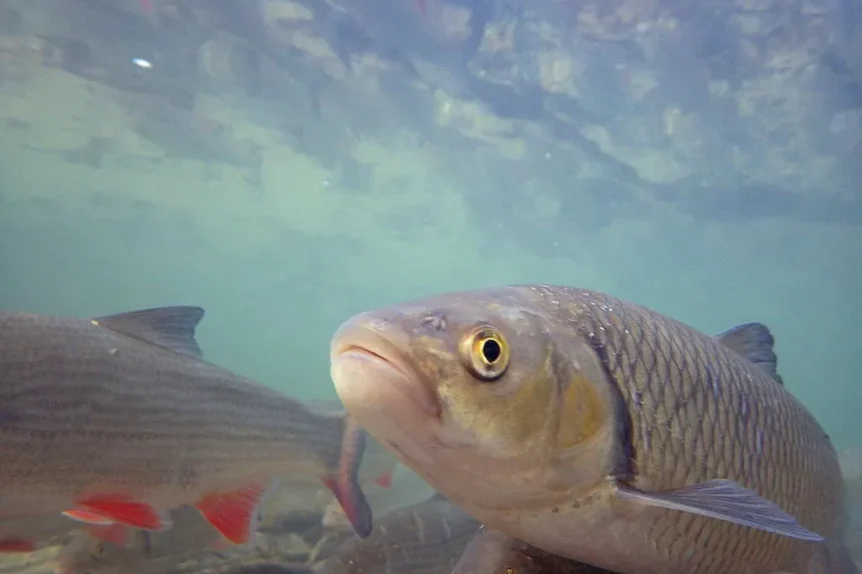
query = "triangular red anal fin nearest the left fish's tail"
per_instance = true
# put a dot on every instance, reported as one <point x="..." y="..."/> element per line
<point x="234" y="514"/>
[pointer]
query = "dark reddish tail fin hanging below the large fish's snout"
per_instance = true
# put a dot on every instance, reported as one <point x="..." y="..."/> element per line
<point x="345" y="483"/>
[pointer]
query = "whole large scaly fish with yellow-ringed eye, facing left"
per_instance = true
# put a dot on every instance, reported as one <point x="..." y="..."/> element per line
<point x="598" y="430"/>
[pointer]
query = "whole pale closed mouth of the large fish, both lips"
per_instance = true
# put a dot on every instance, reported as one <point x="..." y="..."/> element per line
<point x="361" y="357"/>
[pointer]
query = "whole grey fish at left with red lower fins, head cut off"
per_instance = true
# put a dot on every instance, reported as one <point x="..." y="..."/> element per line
<point x="119" y="419"/>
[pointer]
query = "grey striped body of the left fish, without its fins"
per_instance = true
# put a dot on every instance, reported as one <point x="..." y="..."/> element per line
<point x="60" y="378"/>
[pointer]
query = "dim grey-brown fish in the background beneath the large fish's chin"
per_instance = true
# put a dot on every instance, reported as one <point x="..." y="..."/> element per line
<point x="424" y="538"/>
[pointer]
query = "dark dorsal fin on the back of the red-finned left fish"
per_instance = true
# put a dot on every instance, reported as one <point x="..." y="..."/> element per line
<point x="169" y="327"/>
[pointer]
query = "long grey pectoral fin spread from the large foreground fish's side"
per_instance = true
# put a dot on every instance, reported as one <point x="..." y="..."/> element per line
<point x="725" y="500"/>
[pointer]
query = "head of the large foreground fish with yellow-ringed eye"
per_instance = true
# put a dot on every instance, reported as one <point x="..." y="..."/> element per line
<point x="481" y="393"/>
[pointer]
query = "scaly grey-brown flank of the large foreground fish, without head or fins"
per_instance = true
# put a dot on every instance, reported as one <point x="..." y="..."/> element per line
<point x="695" y="410"/>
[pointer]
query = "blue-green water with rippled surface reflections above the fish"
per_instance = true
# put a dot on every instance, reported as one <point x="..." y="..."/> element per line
<point x="285" y="164"/>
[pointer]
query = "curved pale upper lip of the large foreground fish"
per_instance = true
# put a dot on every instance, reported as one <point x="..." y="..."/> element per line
<point x="366" y="343"/>
